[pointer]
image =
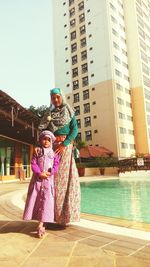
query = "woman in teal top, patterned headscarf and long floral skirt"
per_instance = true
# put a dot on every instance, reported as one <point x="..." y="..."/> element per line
<point x="60" y="119"/>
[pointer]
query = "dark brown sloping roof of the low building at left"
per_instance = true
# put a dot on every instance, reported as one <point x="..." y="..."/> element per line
<point x="16" y="121"/>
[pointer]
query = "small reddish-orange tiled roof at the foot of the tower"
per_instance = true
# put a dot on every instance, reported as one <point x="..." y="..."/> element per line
<point x="94" y="151"/>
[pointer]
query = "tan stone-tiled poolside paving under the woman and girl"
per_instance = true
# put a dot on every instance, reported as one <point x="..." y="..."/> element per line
<point x="74" y="246"/>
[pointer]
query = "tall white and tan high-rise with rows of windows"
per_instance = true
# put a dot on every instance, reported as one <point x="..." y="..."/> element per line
<point x="102" y="61"/>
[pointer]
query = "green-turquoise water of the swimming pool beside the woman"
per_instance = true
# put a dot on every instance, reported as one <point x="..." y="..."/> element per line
<point x="117" y="198"/>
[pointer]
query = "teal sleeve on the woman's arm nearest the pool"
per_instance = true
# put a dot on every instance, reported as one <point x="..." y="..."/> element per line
<point x="73" y="132"/>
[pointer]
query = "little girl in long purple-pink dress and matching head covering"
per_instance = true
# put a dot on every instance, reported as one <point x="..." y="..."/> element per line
<point x="40" y="198"/>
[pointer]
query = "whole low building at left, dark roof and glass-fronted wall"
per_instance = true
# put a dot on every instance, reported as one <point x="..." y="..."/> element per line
<point x="18" y="135"/>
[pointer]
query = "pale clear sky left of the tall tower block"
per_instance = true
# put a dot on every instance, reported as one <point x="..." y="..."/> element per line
<point x="26" y="51"/>
